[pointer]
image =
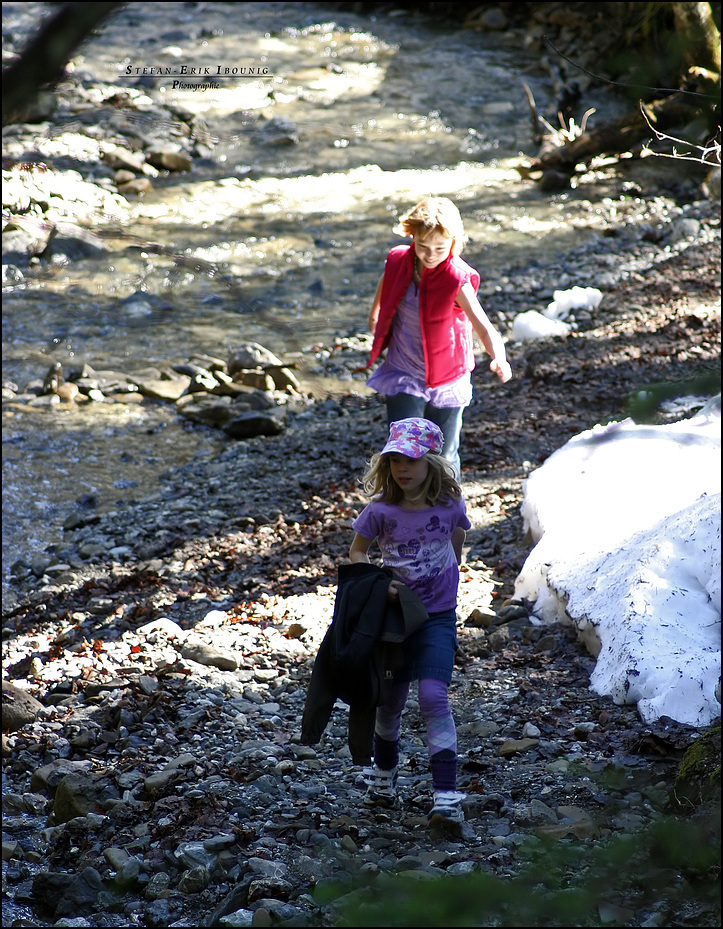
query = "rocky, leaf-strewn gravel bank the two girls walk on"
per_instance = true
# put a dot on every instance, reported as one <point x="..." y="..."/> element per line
<point x="155" y="661"/>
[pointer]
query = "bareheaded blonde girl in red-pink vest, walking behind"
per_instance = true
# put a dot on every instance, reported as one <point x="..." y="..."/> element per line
<point x="424" y="315"/>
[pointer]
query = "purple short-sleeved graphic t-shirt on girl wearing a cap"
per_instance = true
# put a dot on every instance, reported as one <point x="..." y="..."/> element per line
<point x="417" y="546"/>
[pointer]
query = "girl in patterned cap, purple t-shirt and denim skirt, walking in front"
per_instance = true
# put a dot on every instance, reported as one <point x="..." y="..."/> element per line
<point x="418" y="519"/>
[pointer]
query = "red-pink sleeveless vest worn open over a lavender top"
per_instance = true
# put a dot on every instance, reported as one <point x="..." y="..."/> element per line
<point x="447" y="333"/>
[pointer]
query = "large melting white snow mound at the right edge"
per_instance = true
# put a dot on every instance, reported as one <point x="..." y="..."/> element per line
<point x="626" y="521"/>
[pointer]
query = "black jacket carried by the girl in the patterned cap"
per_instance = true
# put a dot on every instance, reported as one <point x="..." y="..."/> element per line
<point x="359" y="654"/>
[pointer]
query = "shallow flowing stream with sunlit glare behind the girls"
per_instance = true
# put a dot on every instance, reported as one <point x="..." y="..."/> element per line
<point x="319" y="127"/>
